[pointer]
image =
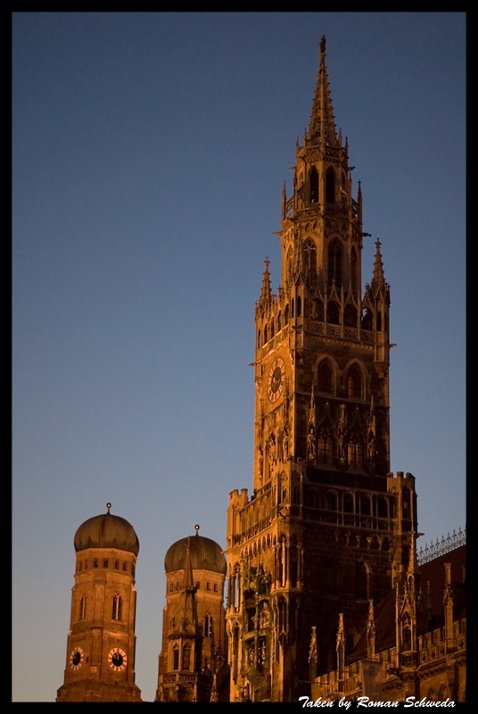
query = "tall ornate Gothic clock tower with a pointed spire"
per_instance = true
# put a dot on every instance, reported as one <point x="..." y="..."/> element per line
<point x="327" y="527"/>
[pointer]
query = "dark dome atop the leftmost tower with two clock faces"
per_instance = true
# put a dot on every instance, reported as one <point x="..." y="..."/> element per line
<point x="107" y="531"/>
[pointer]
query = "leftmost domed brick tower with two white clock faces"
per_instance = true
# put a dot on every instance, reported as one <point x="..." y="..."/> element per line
<point x="101" y="642"/>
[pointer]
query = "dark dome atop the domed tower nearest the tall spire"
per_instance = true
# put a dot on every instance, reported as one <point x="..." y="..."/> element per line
<point x="205" y="554"/>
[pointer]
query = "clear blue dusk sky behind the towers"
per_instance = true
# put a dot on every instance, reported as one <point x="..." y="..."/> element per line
<point x="149" y="152"/>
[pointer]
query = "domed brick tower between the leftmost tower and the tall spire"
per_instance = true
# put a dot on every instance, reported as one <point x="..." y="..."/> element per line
<point x="192" y="663"/>
